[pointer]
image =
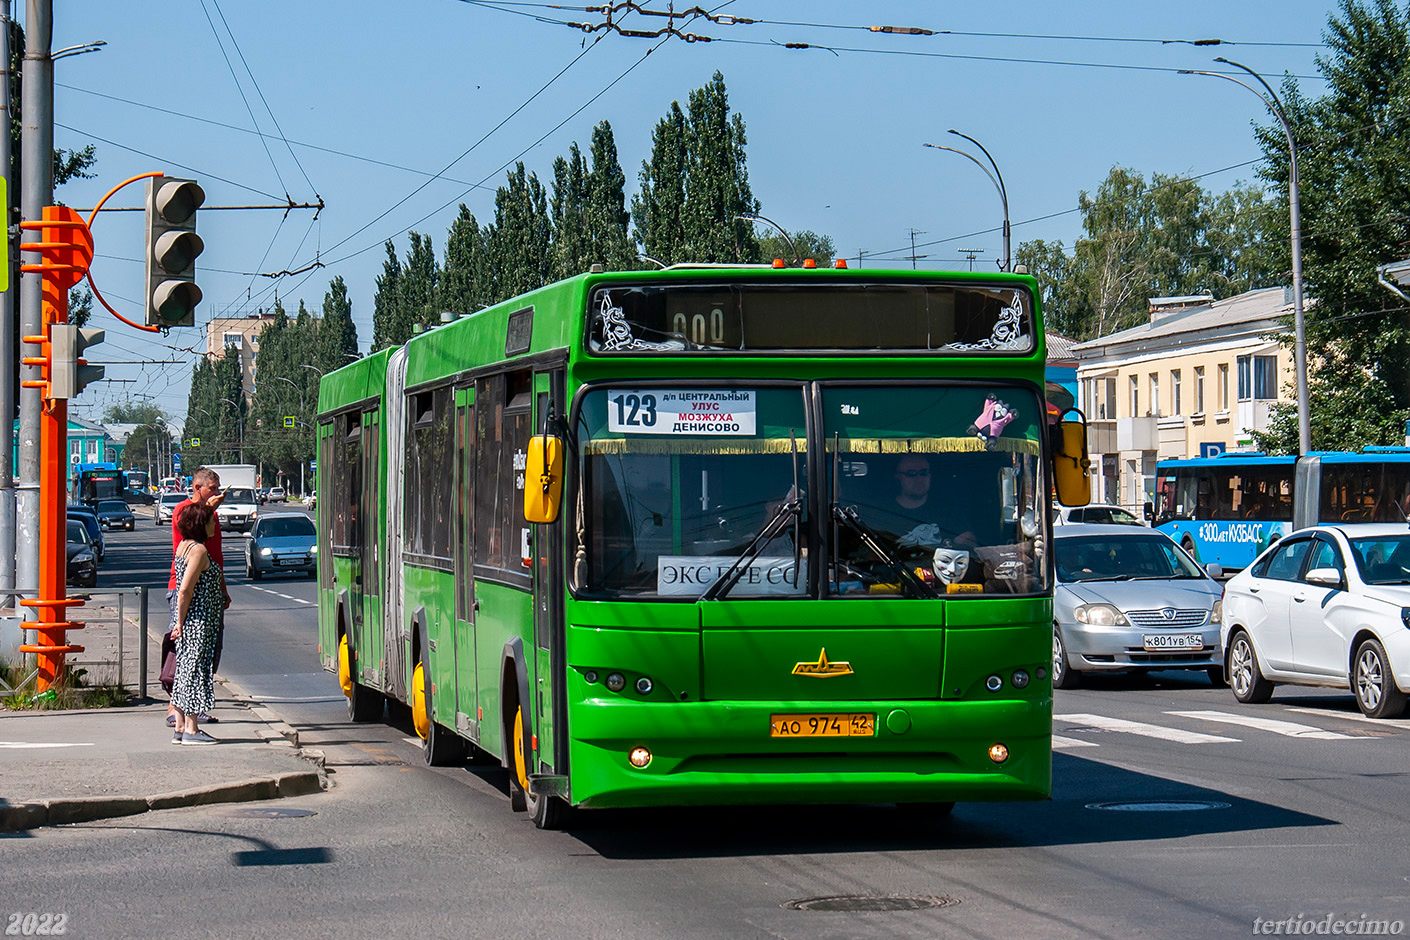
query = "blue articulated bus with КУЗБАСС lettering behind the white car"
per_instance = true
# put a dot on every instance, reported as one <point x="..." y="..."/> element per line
<point x="1227" y="509"/>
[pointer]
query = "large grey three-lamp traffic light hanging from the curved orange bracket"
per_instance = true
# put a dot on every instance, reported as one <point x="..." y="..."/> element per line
<point x="173" y="247"/>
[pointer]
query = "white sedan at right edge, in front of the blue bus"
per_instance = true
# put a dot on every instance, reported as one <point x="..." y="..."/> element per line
<point x="1326" y="607"/>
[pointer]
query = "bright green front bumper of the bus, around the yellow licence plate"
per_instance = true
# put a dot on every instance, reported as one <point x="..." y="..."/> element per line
<point x="923" y="752"/>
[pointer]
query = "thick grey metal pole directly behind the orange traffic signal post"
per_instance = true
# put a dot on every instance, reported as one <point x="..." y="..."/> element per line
<point x="36" y="192"/>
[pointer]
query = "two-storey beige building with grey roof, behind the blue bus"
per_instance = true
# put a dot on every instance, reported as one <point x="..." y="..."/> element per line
<point x="1202" y="373"/>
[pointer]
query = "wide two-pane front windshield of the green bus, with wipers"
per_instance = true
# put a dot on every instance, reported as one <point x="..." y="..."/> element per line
<point x="930" y="490"/>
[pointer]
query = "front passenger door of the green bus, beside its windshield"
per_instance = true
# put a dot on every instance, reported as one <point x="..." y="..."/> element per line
<point x="546" y="553"/>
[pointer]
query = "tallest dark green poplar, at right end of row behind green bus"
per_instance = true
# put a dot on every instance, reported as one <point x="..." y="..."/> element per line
<point x="717" y="181"/>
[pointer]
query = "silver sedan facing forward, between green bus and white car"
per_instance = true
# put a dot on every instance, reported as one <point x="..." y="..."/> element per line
<point x="1130" y="600"/>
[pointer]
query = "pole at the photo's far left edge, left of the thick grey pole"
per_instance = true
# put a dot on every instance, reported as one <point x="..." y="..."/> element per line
<point x="11" y="633"/>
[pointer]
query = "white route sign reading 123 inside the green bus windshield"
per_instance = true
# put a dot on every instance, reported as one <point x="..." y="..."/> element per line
<point x="711" y="412"/>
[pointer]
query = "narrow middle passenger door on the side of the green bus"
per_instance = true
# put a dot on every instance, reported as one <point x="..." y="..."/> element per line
<point x="467" y="677"/>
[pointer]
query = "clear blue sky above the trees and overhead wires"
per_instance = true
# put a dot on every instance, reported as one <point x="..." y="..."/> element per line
<point x="376" y="98"/>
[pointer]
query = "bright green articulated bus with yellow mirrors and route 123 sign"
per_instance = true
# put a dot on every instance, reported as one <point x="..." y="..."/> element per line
<point x="707" y="535"/>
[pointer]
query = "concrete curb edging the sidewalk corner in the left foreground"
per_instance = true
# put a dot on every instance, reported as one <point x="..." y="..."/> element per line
<point x="59" y="812"/>
